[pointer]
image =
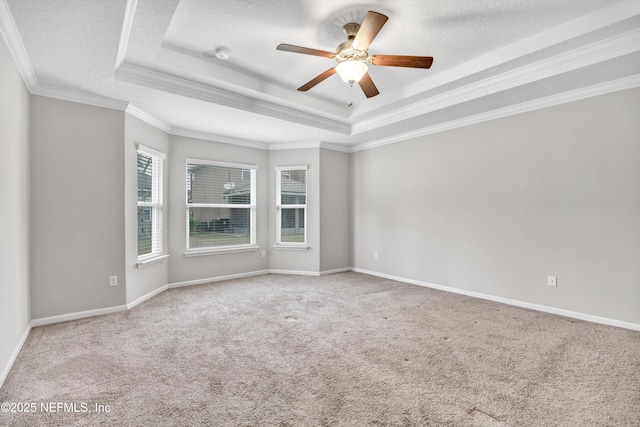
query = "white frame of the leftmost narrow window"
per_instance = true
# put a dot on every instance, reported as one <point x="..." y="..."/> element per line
<point x="156" y="204"/>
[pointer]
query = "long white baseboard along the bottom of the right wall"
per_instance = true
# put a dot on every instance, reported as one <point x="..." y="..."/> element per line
<point x="538" y="307"/>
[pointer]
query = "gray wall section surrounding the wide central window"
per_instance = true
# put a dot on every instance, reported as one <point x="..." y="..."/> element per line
<point x="183" y="269"/>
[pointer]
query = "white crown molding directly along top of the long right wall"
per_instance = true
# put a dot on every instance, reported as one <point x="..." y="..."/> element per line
<point x="549" y="101"/>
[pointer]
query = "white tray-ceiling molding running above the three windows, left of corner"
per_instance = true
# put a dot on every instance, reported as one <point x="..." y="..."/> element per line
<point x="167" y="83"/>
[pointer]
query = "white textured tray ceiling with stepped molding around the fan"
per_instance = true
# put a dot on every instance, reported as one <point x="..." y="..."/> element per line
<point x="492" y="58"/>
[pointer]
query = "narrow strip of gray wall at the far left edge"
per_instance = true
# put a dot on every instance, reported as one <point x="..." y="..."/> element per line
<point x="14" y="209"/>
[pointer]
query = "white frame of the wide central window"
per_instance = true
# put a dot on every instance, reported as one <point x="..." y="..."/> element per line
<point x="252" y="206"/>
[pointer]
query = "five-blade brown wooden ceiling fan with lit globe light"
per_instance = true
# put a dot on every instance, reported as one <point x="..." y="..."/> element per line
<point x="352" y="55"/>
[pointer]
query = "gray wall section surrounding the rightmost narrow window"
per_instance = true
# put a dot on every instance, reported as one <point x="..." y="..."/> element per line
<point x="296" y="260"/>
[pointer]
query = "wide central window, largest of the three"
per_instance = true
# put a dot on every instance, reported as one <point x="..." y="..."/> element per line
<point x="221" y="206"/>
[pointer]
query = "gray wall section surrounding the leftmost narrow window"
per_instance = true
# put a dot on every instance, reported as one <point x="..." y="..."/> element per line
<point x="142" y="281"/>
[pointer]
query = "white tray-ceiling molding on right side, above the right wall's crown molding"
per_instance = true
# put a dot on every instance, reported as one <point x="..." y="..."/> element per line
<point x="601" y="51"/>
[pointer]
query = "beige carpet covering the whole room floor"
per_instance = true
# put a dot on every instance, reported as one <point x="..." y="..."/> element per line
<point x="340" y="350"/>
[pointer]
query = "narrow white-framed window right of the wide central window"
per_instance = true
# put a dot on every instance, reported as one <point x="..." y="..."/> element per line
<point x="291" y="204"/>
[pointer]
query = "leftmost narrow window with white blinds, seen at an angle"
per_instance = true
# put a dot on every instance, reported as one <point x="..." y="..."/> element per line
<point x="149" y="202"/>
